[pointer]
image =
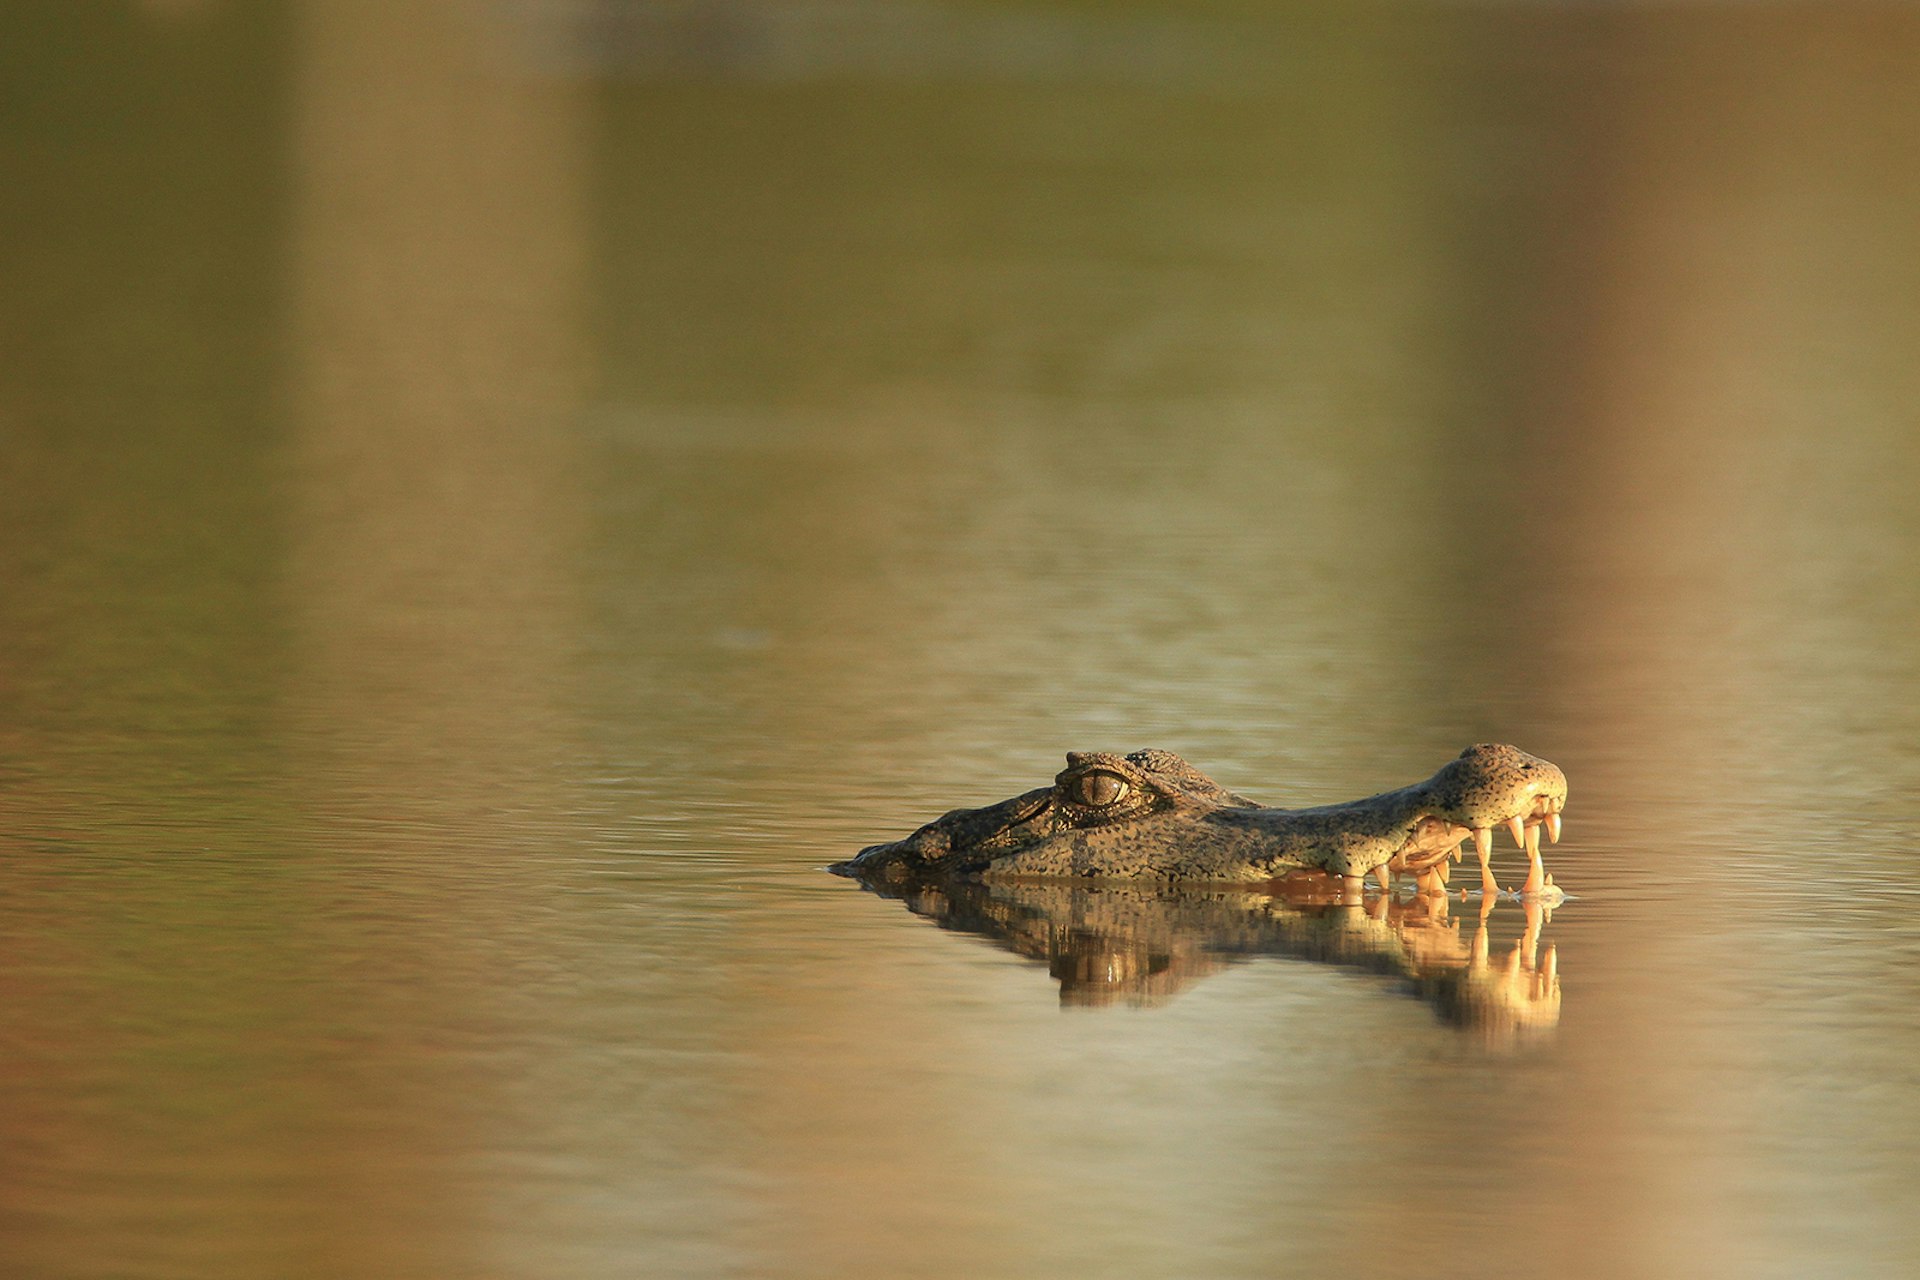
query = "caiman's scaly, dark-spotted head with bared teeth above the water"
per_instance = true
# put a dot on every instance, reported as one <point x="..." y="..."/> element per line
<point x="1151" y="817"/>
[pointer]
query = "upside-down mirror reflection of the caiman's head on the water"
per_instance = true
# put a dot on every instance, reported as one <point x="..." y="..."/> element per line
<point x="1113" y="943"/>
